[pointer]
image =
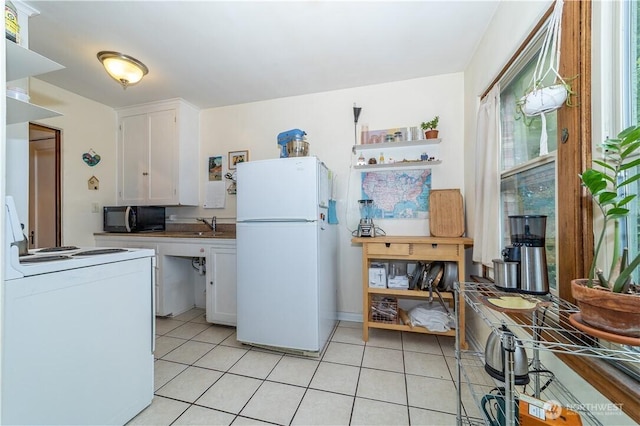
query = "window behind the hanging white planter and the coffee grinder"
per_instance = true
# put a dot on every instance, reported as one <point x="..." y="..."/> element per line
<point x="527" y="180"/>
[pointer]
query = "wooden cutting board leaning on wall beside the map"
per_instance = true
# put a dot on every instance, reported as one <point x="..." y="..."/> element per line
<point x="446" y="213"/>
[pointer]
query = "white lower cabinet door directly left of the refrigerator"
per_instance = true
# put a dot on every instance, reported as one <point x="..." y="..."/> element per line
<point x="221" y="286"/>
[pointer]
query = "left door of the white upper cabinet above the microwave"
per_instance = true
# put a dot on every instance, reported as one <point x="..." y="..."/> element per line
<point x="133" y="164"/>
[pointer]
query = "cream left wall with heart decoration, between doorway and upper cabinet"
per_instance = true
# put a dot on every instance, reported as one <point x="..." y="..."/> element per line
<point x="85" y="125"/>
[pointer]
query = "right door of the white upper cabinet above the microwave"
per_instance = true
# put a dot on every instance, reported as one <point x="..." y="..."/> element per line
<point x="163" y="158"/>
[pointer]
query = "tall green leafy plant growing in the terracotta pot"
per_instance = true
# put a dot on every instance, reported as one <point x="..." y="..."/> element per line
<point x="610" y="188"/>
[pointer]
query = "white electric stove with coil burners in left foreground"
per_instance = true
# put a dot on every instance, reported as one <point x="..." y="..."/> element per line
<point x="93" y="311"/>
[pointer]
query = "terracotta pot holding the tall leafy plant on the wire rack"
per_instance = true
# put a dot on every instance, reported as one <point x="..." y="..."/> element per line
<point x="612" y="312"/>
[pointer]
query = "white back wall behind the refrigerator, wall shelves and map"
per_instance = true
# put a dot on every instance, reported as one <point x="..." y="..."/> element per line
<point x="328" y="120"/>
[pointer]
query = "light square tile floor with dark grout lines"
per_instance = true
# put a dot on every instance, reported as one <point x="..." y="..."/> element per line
<point x="203" y="376"/>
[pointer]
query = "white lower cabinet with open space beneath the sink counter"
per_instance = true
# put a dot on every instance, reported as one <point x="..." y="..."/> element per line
<point x="179" y="286"/>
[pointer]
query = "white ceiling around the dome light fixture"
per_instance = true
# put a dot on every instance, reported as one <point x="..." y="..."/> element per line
<point x="218" y="53"/>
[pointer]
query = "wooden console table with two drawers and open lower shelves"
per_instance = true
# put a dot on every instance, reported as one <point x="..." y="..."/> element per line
<point x="426" y="249"/>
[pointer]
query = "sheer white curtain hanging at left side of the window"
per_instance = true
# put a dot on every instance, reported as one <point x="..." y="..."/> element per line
<point x="486" y="237"/>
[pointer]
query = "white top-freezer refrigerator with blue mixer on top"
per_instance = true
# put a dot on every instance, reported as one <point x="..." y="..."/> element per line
<point x="286" y="255"/>
